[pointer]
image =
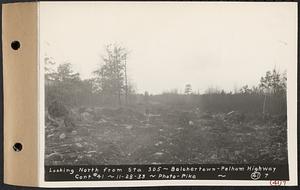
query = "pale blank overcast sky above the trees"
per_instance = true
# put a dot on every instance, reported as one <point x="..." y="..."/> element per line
<point x="223" y="45"/>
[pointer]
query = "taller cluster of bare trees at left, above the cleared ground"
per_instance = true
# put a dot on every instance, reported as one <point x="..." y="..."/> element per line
<point x="109" y="82"/>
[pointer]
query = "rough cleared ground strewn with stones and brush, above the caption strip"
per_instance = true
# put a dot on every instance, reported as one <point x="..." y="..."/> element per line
<point x="100" y="136"/>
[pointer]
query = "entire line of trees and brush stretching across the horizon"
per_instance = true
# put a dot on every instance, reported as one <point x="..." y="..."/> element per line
<point x="109" y="86"/>
